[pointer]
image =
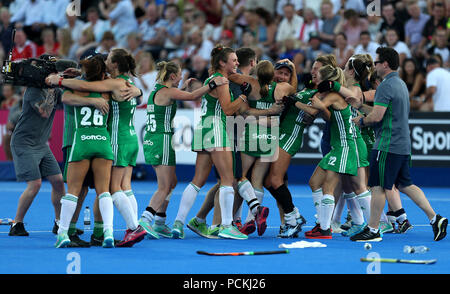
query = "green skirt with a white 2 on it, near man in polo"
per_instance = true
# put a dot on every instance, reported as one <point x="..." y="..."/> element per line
<point x="342" y="160"/>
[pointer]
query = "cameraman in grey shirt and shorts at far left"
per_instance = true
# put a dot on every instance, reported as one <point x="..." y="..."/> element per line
<point x="33" y="159"/>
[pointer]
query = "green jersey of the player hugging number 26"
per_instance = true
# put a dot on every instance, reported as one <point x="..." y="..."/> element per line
<point x="121" y="121"/>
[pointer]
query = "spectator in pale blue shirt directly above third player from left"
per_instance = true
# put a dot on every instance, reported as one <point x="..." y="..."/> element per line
<point x="172" y="30"/>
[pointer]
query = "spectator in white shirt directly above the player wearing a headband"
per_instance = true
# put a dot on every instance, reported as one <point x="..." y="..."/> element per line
<point x="289" y="26"/>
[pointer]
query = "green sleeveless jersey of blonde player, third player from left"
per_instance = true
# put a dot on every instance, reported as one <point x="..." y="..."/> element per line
<point x="159" y="118"/>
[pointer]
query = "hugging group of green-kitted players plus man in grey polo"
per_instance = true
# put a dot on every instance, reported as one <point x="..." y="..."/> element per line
<point x="365" y="147"/>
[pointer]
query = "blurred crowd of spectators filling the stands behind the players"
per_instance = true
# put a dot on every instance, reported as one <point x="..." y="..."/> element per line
<point x="186" y="31"/>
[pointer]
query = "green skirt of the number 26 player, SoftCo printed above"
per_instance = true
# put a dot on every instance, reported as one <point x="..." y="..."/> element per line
<point x="89" y="143"/>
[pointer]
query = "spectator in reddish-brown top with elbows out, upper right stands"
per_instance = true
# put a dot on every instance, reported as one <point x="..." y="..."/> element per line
<point x="352" y="25"/>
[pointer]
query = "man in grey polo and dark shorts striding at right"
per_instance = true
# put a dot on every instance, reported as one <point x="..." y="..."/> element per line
<point x="391" y="154"/>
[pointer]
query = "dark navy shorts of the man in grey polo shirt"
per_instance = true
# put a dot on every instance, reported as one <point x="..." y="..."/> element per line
<point x="388" y="169"/>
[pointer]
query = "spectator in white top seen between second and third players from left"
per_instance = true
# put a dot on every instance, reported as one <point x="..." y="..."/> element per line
<point x="146" y="75"/>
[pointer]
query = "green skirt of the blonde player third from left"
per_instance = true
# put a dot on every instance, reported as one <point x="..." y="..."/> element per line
<point x="158" y="149"/>
